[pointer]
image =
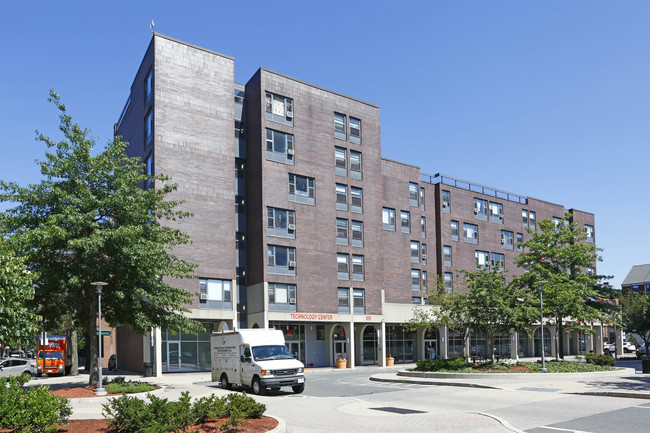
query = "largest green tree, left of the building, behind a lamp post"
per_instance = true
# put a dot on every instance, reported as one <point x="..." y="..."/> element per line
<point x="90" y="219"/>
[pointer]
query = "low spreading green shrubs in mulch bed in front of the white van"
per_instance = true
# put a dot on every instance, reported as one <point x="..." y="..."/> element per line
<point x="160" y="415"/>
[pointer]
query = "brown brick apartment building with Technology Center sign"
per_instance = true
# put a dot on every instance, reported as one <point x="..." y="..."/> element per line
<point x="300" y="224"/>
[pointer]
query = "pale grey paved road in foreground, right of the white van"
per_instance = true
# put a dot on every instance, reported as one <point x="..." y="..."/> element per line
<point x="347" y="401"/>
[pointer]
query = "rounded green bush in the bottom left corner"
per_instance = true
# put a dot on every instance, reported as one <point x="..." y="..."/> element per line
<point x="35" y="410"/>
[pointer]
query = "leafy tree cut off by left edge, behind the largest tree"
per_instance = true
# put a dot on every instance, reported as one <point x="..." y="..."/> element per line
<point x="18" y="324"/>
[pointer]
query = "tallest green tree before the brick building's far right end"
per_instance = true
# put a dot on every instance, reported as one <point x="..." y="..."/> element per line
<point x="558" y="256"/>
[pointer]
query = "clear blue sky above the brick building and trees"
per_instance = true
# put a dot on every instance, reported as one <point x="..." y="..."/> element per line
<point x="546" y="99"/>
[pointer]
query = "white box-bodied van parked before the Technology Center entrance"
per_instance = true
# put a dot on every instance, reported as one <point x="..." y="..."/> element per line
<point x="257" y="358"/>
